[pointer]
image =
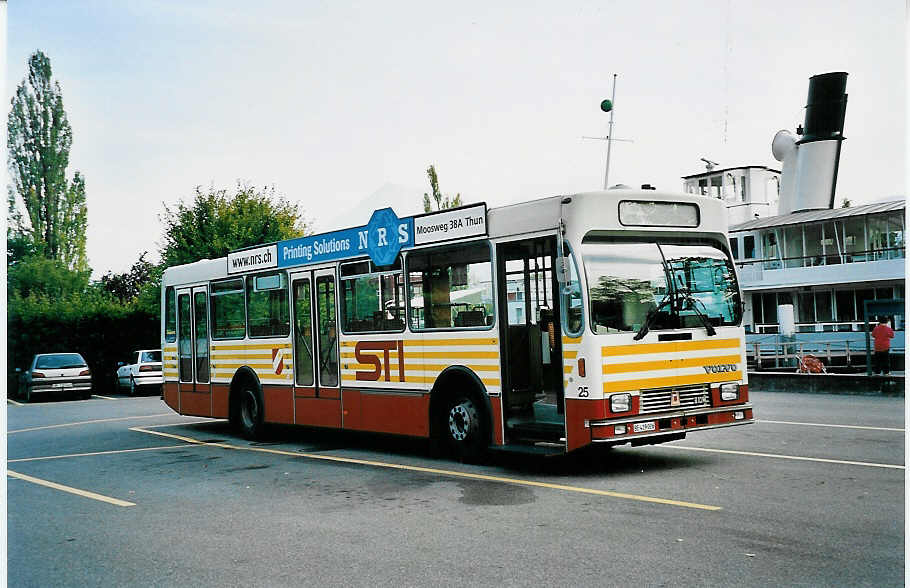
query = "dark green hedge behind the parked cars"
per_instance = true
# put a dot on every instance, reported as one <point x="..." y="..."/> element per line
<point x="100" y="328"/>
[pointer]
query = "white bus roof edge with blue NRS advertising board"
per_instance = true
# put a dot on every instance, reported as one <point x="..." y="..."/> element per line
<point x="386" y="234"/>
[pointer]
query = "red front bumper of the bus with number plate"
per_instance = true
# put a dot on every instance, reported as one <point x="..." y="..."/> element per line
<point x="670" y="423"/>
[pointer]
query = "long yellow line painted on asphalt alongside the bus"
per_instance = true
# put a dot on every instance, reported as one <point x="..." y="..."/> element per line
<point x="438" y="472"/>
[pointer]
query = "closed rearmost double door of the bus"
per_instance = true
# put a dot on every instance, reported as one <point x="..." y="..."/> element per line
<point x="193" y="366"/>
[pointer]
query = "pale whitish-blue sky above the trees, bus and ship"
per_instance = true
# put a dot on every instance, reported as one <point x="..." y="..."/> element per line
<point x="343" y="106"/>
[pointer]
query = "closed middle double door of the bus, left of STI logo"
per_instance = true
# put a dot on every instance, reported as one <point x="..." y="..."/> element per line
<point x="317" y="394"/>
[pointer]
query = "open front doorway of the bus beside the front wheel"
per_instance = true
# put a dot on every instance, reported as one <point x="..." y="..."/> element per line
<point x="530" y="339"/>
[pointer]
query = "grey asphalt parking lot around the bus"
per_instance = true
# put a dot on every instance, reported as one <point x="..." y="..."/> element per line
<point x="121" y="491"/>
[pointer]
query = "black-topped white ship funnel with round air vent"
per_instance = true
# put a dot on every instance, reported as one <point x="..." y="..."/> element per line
<point x="809" y="165"/>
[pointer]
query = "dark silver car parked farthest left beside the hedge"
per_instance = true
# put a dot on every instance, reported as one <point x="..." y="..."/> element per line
<point x="48" y="373"/>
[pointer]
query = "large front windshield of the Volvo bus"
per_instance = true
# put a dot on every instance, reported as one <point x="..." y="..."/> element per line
<point x="666" y="285"/>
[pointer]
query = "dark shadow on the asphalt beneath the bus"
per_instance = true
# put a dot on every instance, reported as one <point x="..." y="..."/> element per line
<point x="591" y="461"/>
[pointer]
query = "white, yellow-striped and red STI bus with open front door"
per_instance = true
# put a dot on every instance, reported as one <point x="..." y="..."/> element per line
<point x="600" y="318"/>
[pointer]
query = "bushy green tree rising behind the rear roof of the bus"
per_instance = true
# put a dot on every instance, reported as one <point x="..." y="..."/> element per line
<point x="217" y="222"/>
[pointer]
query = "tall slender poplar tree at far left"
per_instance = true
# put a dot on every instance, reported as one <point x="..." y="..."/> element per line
<point x="38" y="142"/>
